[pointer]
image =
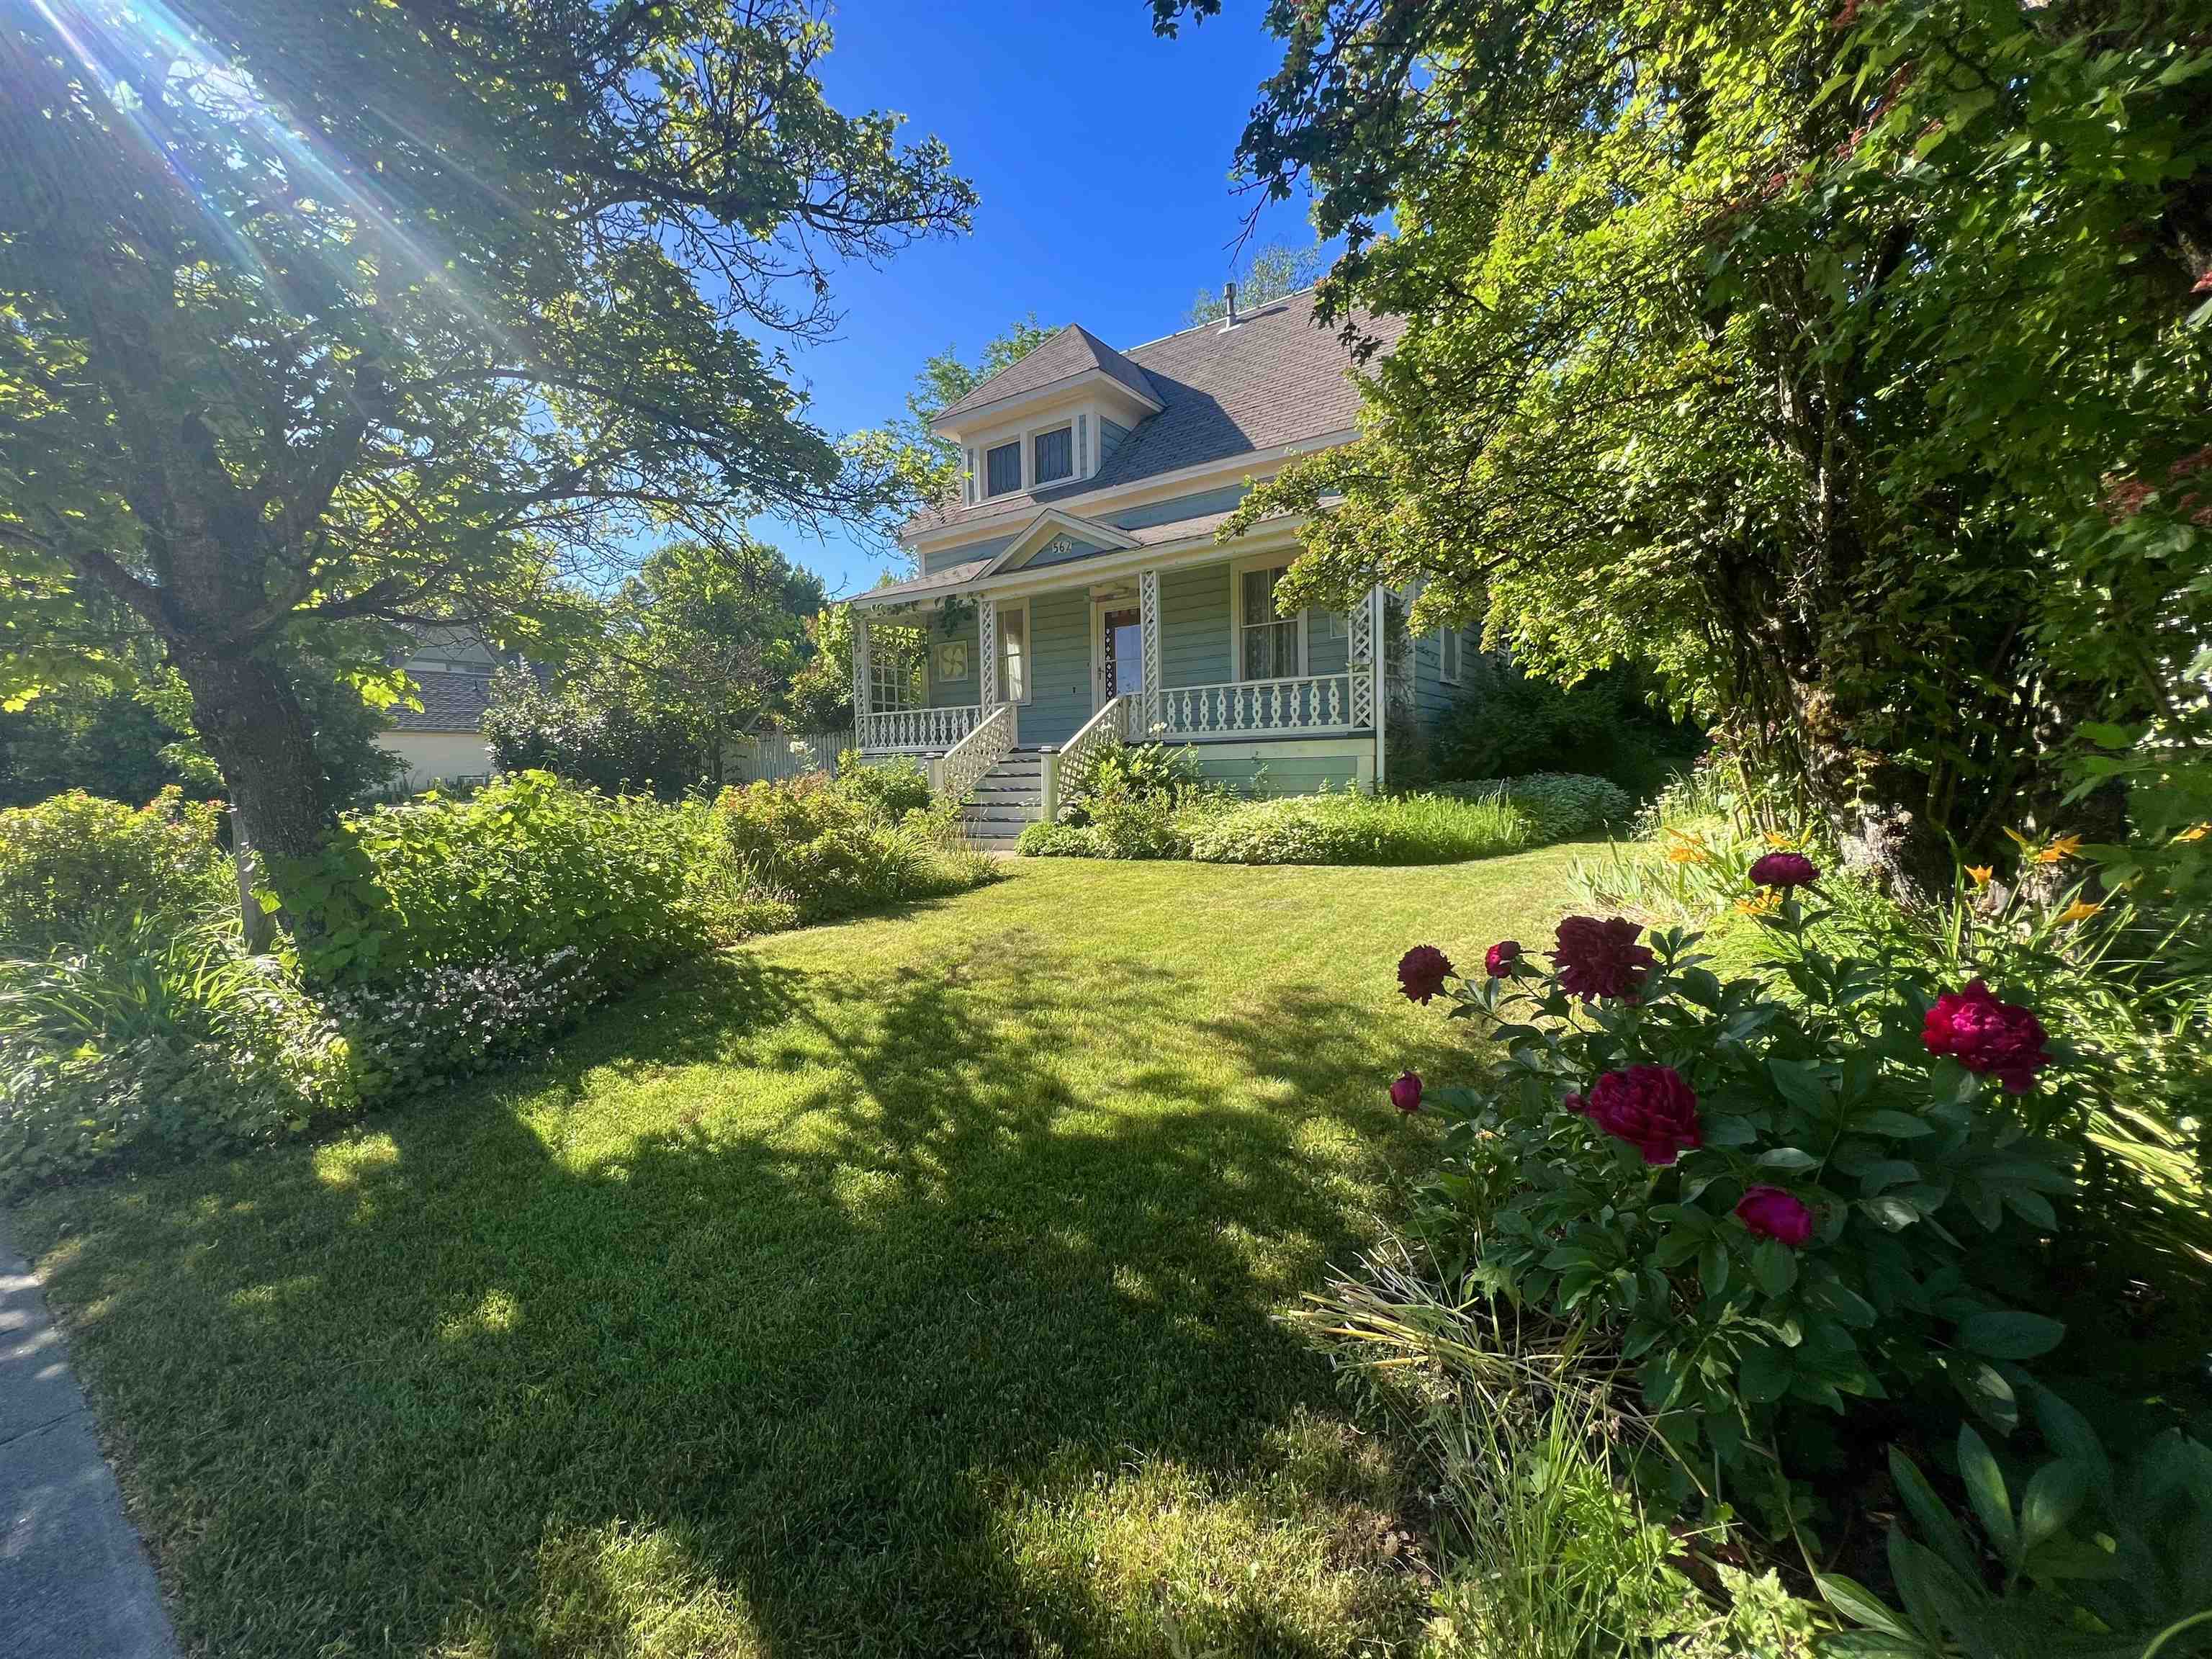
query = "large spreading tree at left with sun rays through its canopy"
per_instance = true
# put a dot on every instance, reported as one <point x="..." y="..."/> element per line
<point x="401" y="311"/>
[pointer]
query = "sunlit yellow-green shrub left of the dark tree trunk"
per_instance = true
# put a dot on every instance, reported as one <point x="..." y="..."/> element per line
<point x="76" y="859"/>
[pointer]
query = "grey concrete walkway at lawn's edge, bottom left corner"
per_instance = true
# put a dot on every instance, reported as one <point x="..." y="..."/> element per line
<point x="74" y="1576"/>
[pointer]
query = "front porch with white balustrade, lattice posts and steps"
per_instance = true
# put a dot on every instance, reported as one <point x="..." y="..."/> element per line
<point x="1178" y="654"/>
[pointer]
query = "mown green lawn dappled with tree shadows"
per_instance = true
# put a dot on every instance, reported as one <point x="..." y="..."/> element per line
<point x="904" y="1286"/>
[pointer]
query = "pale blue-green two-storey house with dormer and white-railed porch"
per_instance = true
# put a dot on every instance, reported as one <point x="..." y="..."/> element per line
<point x="1076" y="589"/>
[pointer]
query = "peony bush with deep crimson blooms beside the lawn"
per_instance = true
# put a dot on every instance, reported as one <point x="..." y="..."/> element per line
<point x="1768" y="1204"/>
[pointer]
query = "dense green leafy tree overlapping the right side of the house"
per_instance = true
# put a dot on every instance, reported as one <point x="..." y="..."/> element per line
<point x="1844" y="364"/>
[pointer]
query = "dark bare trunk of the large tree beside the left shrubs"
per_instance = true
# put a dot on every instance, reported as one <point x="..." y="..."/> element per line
<point x="260" y="738"/>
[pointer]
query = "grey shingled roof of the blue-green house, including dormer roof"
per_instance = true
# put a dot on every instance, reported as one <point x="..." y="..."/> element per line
<point x="1275" y="379"/>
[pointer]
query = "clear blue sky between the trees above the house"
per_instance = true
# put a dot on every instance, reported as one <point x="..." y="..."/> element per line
<point x="1103" y="158"/>
